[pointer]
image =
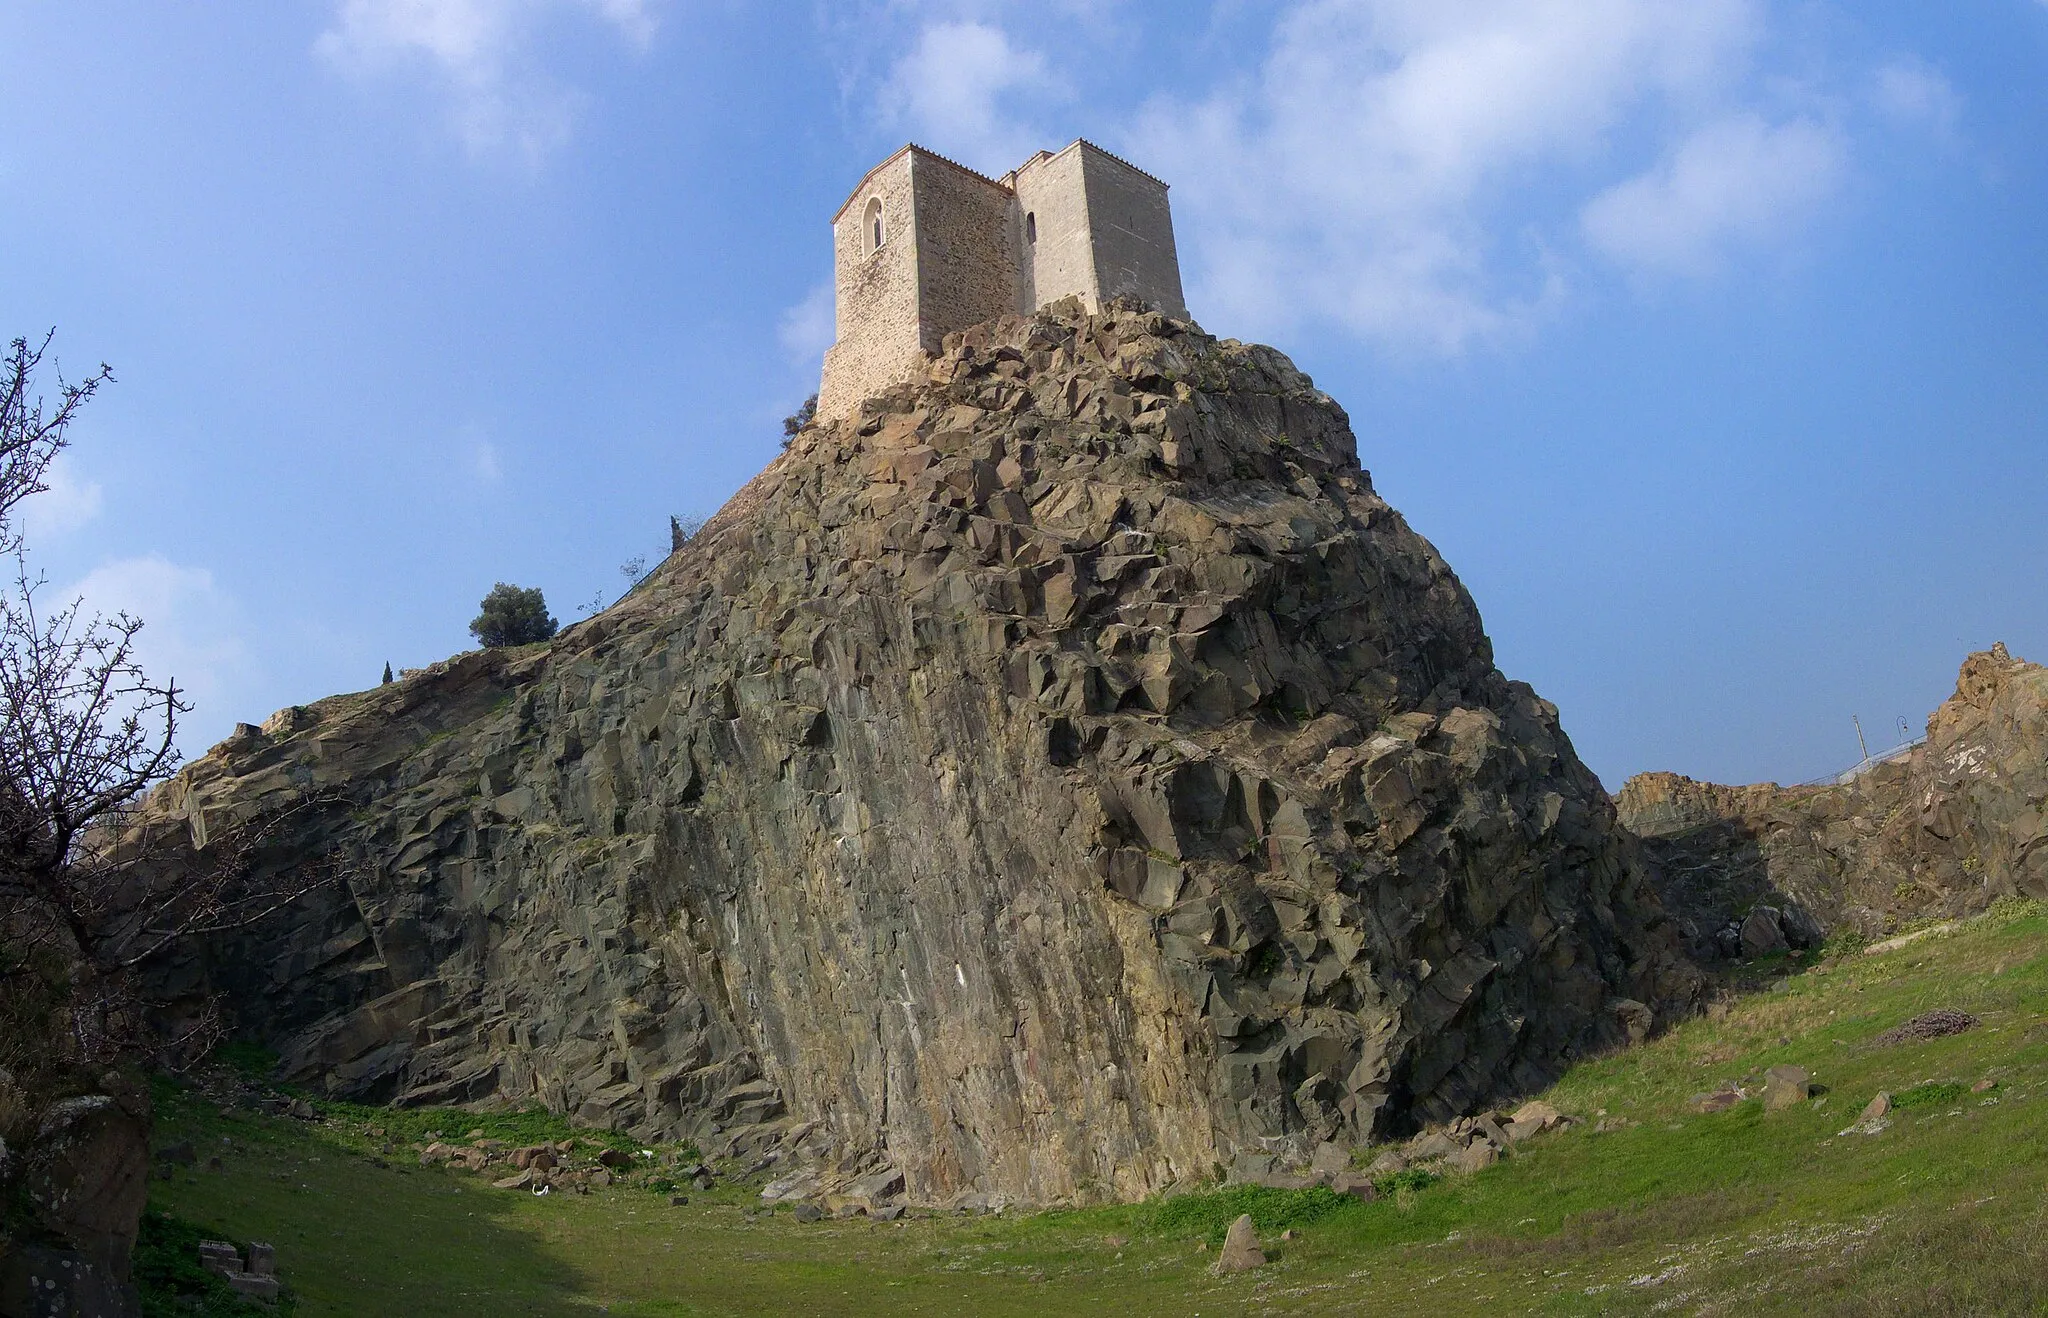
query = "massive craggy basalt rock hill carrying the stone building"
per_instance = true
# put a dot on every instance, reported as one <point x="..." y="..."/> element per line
<point x="1058" y="781"/>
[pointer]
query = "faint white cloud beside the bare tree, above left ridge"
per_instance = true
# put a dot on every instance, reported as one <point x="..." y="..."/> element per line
<point x="191" y="631"/>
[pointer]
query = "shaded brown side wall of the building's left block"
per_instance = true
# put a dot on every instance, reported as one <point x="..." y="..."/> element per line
<point x="968" y="269"/>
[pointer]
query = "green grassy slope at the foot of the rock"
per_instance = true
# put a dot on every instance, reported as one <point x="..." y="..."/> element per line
<point x="1680" y="1213"/>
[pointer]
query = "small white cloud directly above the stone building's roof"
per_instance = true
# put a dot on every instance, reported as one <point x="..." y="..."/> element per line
<point x="959" y="93"/>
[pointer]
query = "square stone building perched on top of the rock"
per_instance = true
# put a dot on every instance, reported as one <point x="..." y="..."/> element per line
<point x="927" y="247"/>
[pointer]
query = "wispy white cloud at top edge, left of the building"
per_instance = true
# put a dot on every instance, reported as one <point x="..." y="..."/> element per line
<point x="484" y="52"/>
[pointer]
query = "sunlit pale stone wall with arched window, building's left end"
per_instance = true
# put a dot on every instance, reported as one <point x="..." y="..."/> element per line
<point x="876" y="294"/>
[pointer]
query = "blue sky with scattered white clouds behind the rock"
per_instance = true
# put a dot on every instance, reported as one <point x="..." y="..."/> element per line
<point x="1707" y="339"/>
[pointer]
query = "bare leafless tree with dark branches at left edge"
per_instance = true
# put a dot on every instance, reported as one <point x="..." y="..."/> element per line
<point x="87" y="891"/>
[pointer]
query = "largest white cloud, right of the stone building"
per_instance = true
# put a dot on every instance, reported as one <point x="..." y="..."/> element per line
<point x="1363" y="175"/>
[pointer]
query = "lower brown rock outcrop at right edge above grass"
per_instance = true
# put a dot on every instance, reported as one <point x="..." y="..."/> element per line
<point x="1940" y="832"/>
